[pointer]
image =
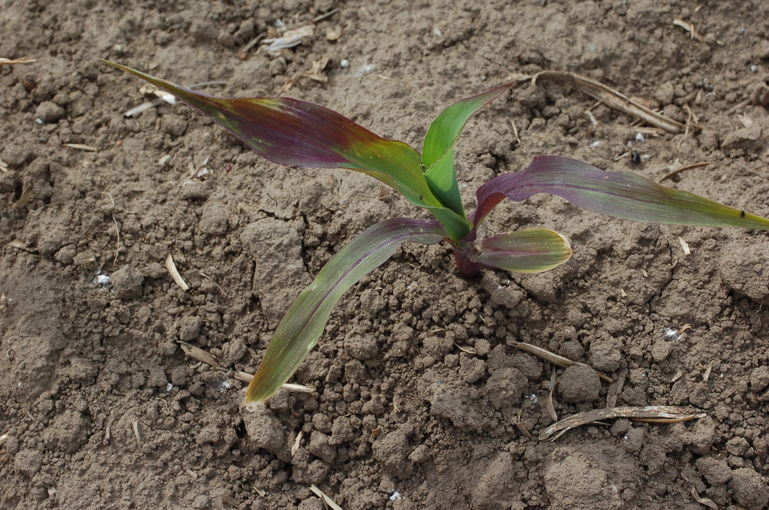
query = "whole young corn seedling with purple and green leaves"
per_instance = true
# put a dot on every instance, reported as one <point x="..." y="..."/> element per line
<point x="296" y="133"/>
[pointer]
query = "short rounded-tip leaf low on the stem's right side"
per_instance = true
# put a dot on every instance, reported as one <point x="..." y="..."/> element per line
<point x="524" y="251"/>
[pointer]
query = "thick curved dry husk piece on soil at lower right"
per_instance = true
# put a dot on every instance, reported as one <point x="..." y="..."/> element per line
<point x="649" y="414"/>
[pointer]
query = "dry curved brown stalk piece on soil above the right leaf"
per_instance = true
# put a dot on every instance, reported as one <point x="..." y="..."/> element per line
<point x="611" y="98"/>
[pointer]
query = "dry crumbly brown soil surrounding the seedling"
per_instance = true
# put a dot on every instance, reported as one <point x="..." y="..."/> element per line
<point x="99" y="406"/>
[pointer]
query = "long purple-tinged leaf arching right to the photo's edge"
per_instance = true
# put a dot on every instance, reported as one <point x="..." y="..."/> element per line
<point x="621" y="194"/>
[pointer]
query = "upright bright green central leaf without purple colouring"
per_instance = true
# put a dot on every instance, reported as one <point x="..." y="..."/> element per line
<point x="438" y="146"/>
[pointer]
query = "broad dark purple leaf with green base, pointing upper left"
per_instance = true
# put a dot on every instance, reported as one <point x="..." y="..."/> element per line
<point x="297" y="133"/>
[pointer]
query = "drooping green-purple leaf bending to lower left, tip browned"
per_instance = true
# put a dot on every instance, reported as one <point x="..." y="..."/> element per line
<point x="304" y="322"/>
